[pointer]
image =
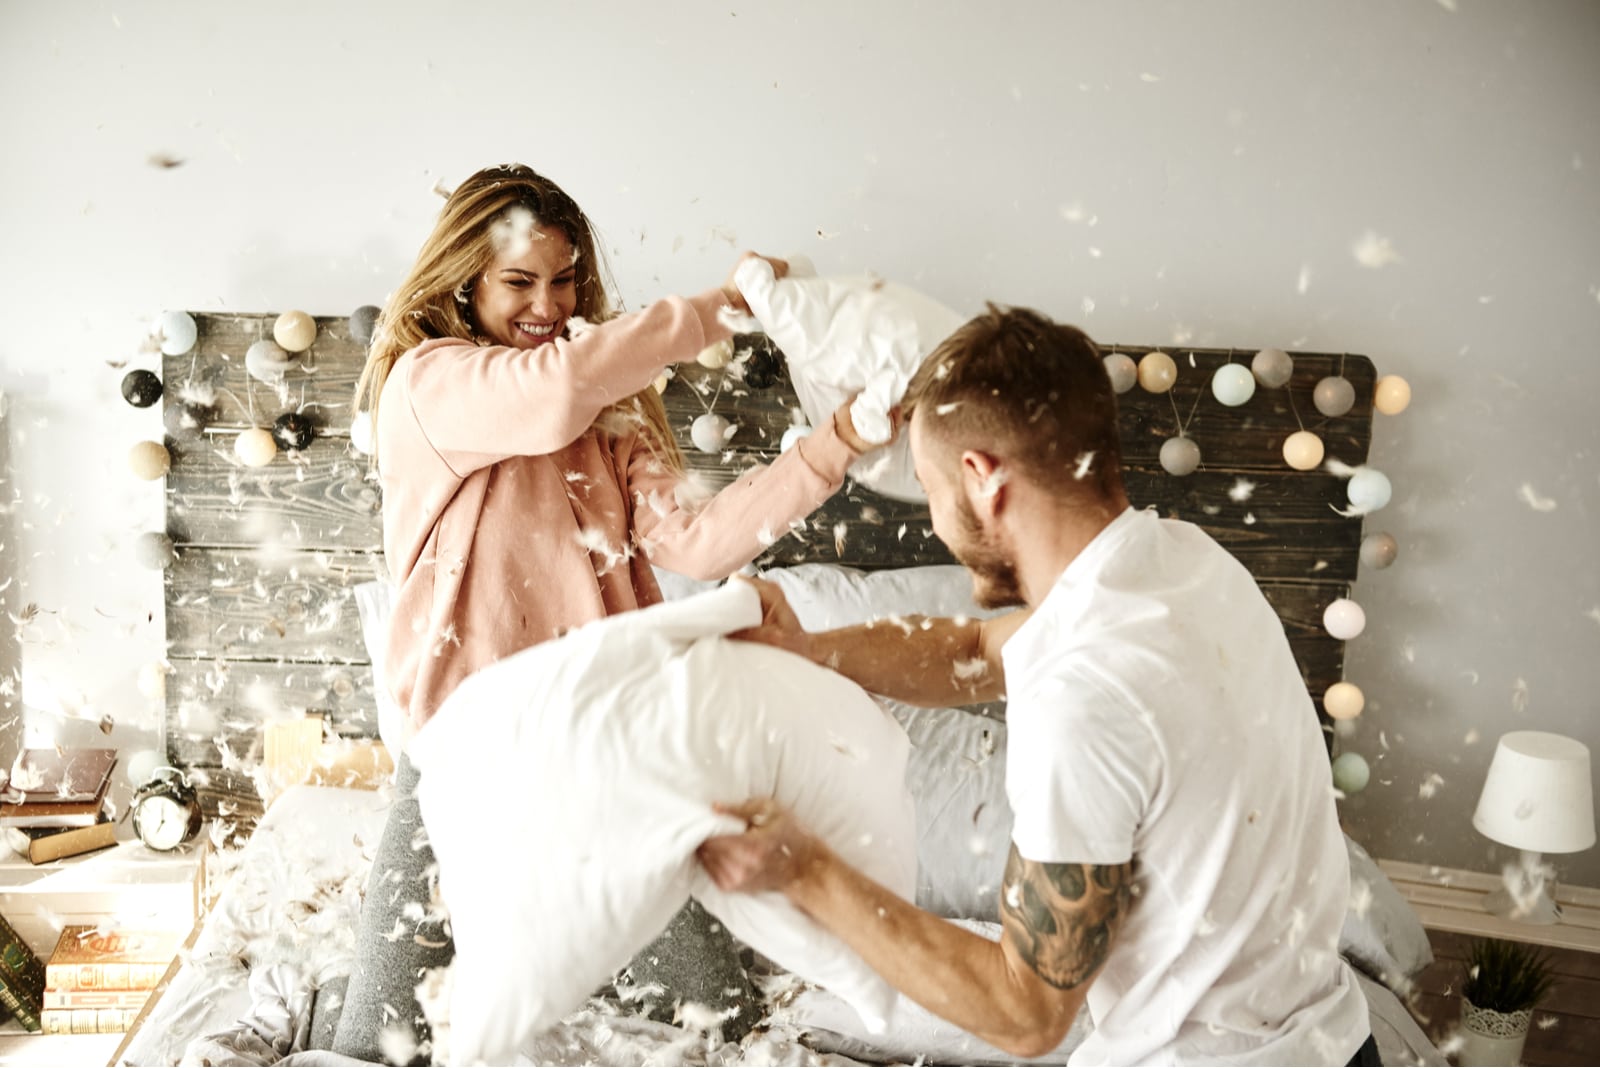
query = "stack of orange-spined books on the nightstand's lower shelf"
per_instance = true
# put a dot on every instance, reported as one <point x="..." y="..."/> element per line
<point x="98" y="981"/>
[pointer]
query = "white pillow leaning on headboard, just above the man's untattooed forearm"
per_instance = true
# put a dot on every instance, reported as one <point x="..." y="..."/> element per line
<point x="830" y="596"/>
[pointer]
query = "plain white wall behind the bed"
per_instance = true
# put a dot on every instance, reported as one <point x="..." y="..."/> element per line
<point x="1159" y="173"/>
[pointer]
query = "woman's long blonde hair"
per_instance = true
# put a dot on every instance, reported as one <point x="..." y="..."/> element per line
<point x="436" y="298"/>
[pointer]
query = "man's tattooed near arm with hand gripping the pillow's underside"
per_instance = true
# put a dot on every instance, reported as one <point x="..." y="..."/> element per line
<point x="1058" y="925"/>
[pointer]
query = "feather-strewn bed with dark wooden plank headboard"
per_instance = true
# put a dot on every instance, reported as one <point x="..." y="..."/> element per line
<point x="265" y="623"/>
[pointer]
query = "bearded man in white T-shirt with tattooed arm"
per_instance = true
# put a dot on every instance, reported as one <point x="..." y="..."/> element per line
<point x="1177" y="863"/>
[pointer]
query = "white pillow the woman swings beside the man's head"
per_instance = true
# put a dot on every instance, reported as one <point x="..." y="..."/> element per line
<point x="850" y="335"/>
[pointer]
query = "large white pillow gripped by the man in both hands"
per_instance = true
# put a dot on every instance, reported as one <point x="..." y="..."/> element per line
<point x="566" y="791"/>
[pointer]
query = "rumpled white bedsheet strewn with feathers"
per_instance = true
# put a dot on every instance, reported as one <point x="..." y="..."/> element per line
<point x="287" y="920"/>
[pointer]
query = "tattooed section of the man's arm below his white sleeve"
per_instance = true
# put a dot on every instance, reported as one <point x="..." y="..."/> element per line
<point x="1062" y="917"/>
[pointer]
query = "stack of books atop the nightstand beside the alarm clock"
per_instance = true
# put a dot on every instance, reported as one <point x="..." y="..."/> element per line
<point x="55" y="803"/>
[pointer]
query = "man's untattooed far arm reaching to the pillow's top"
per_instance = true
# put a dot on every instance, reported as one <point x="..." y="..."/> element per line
<point x="916" y="660"/>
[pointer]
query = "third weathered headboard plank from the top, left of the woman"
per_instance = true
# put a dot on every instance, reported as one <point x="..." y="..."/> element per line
<point x="266" y="605"/>
